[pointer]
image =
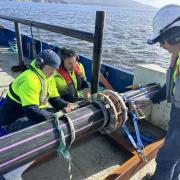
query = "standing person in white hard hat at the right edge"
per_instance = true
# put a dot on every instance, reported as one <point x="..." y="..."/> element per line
<point x="166" y="28"/>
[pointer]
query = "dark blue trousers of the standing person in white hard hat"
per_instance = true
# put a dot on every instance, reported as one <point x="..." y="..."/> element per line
<point x="168" y="158"/>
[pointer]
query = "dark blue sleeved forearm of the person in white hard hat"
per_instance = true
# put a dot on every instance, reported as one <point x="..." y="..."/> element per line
<point x="160" y="96"/>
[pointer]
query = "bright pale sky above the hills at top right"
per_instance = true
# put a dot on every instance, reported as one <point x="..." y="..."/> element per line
<point x="159" y="3"/>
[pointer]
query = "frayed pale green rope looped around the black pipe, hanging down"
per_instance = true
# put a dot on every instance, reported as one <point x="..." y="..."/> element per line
<point x="63" y="147"/>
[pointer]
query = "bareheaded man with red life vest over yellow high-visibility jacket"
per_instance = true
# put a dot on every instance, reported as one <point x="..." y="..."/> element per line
<point x="70" y="77"/>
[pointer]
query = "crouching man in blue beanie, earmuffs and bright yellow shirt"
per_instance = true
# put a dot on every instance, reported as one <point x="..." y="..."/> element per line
<point x="30" y="92"/>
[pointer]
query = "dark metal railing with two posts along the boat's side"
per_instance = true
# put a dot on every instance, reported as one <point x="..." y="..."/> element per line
<point x="96" y="38"/>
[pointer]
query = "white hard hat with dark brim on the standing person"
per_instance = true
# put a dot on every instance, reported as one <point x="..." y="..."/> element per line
<point x="167" y="17"/>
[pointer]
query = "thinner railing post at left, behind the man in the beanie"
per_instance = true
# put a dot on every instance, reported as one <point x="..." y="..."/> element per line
<point x="19" y="43"/>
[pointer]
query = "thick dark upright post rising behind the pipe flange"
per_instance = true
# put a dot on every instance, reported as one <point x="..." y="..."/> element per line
<point x="97" y="50"/>
